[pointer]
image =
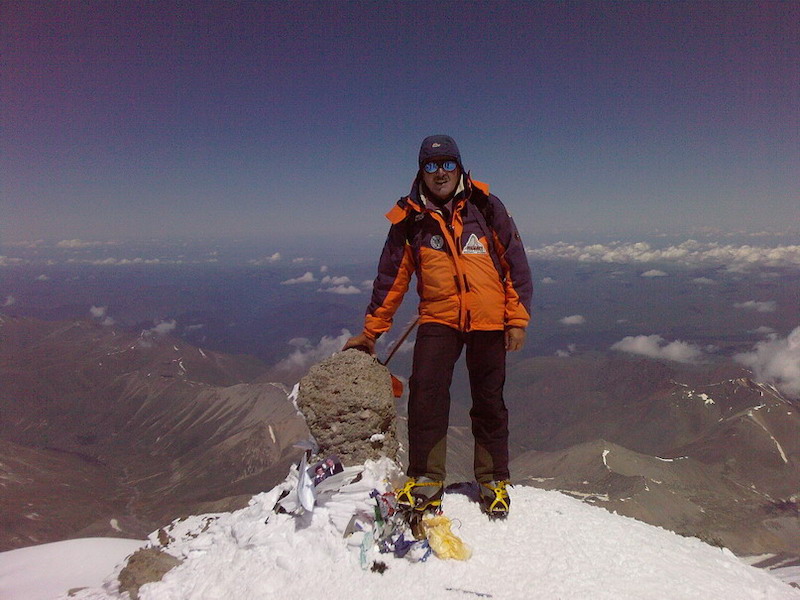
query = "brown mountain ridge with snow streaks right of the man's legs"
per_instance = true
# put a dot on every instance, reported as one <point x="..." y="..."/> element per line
<point x="720" y="460"/>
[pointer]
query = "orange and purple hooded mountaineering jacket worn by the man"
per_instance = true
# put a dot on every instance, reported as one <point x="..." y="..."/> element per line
<point x="472" y="271"/>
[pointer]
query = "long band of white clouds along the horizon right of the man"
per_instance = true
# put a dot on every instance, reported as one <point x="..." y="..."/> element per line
<point x="690" y="252"/>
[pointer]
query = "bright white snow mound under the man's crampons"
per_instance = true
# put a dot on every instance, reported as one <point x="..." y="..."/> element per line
<point x="551" y="546"/>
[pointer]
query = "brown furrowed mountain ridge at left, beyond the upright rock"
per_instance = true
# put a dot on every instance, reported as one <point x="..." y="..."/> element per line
<point x="158" y="428"/>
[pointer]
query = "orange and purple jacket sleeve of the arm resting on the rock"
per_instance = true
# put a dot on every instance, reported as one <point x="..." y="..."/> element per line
<point x="394" y="273"/>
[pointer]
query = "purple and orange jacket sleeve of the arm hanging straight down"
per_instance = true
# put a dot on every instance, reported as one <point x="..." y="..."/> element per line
<point x="518" y="281"/>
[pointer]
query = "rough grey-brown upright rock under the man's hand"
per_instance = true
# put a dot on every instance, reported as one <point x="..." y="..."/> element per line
<point x="349" y="407"/>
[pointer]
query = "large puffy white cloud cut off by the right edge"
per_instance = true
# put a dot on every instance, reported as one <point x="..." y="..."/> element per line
<point x="776" y="361"/>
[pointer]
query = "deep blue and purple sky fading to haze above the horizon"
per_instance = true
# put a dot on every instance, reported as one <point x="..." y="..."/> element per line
<point x="295" y="119"/>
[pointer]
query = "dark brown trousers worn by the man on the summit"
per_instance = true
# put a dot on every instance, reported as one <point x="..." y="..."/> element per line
<point x="435" y="353"/>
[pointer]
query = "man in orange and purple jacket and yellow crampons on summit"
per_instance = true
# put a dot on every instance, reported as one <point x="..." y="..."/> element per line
<point x="474" y="287"/>
